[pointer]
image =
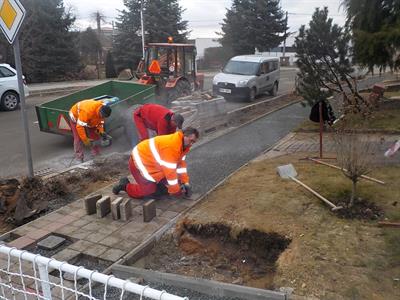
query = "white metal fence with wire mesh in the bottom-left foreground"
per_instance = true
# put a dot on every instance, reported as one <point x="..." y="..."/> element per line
<point x="24" y="275"/>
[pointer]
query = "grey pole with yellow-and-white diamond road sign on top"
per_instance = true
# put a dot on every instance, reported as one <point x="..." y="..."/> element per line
<point x="12" y="14"/>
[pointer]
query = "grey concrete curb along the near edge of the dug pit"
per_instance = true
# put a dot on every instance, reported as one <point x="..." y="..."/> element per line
<point x="208" y="287"/>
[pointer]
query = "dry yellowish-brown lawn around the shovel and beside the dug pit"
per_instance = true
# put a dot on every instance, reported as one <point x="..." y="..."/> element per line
<point x="329" y="257"/>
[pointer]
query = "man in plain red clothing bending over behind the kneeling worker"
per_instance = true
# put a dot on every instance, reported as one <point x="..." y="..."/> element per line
<point x="157" y="118"/>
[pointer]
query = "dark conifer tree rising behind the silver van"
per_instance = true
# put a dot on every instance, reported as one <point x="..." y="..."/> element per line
<point x="253" y="24"/>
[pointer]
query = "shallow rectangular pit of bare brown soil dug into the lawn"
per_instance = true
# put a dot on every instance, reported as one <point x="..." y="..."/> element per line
<point x="215" y="252"/>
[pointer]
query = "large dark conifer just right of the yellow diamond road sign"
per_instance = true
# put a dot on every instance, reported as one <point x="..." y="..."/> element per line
<point x="49" y="49"/>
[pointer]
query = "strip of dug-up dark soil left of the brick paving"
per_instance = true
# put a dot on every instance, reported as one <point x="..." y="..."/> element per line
<point x="38" y="196"/>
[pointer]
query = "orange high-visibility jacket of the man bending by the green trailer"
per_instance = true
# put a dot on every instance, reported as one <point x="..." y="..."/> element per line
<point x="86" y="113"/>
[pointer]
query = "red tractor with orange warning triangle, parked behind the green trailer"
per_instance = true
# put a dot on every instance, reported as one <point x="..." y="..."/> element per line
<point x="172" y="68"/>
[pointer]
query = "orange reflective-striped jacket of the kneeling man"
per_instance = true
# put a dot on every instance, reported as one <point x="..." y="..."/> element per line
<point x="163" y="157"/>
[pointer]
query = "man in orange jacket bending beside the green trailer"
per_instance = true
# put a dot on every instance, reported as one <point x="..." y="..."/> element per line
<point x="87" y="125"/>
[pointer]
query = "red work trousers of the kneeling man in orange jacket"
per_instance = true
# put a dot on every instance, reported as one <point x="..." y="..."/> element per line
<point x="142" y="187"/>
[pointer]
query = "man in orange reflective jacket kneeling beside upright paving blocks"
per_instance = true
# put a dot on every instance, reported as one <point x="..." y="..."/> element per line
<point x="160" y="160"/>
